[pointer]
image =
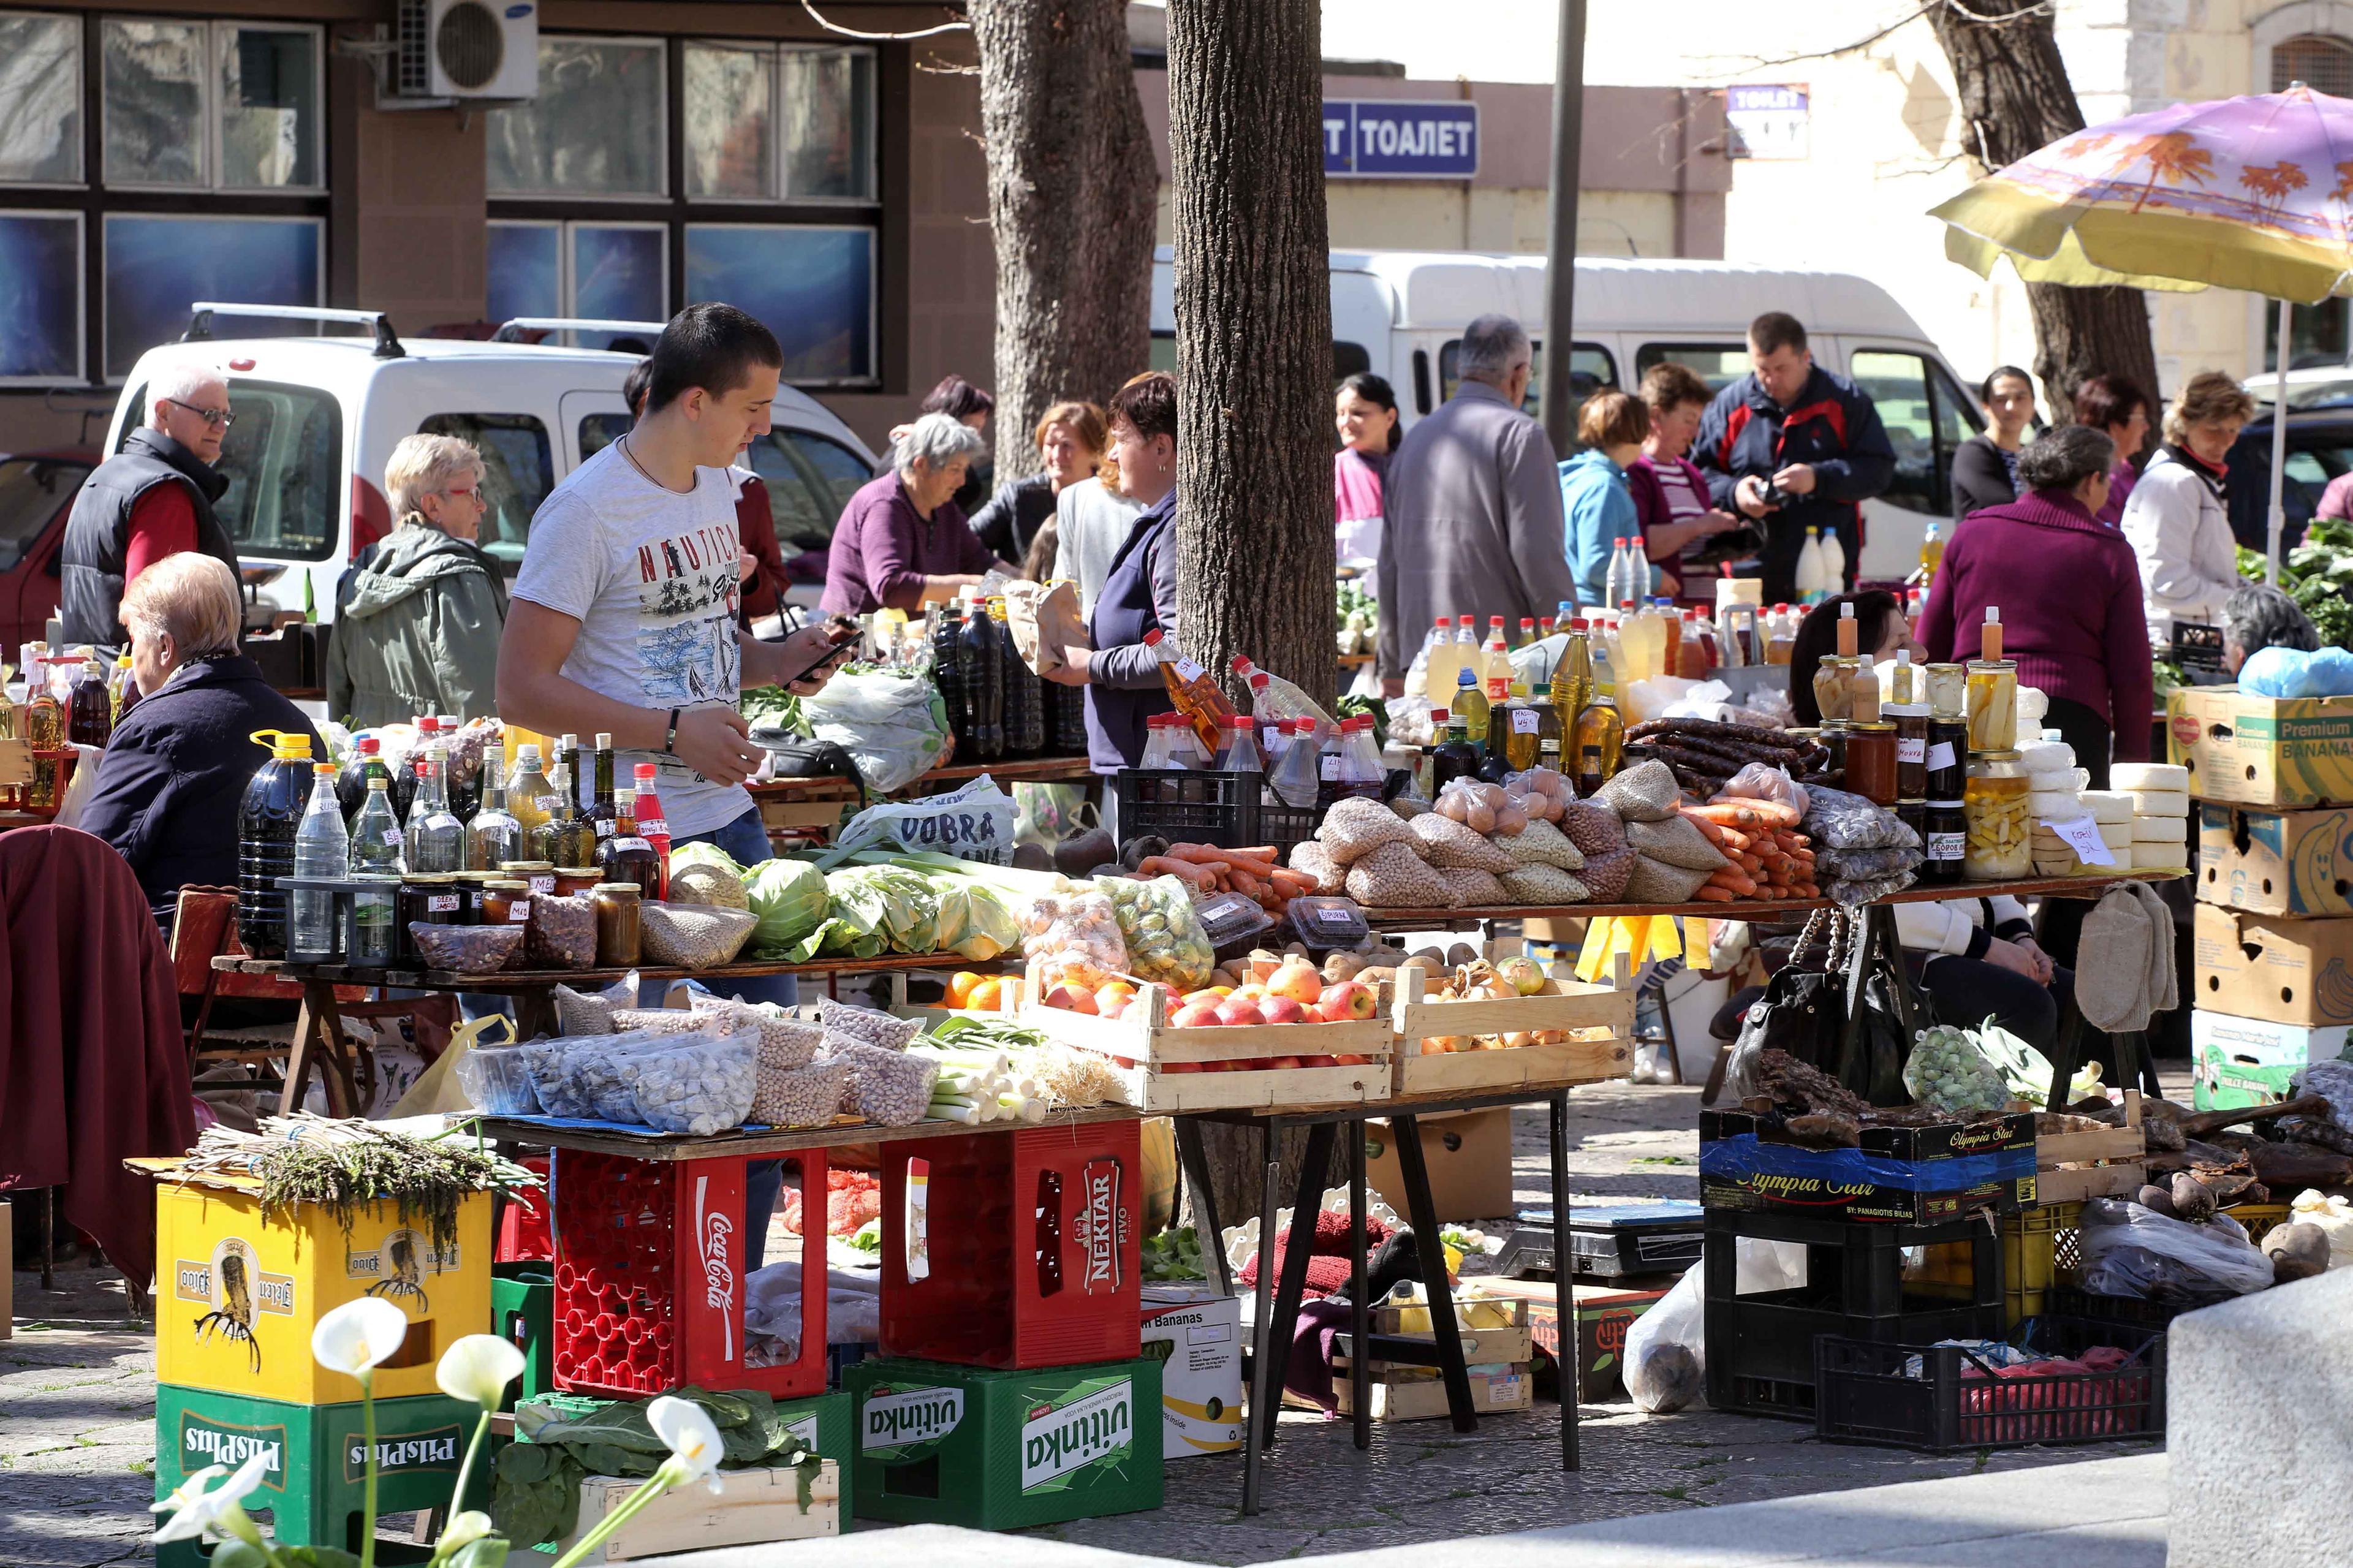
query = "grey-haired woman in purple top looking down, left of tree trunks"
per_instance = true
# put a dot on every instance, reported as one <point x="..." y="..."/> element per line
<point x="902" y="543"/>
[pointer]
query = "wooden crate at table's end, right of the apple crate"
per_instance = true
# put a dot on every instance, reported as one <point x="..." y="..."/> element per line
<point x="1599" y="1014"/>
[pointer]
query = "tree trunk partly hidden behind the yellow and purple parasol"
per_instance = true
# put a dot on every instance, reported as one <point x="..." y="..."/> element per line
<point x="2015" y="98"/>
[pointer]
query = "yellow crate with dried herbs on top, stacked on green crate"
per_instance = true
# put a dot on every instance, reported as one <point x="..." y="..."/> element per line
<point x="236" y="1298"/>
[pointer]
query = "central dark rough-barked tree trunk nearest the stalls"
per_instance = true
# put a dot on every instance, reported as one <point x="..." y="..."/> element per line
<point x="1255" y="538"/>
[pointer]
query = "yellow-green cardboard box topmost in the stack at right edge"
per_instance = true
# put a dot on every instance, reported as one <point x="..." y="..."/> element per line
<point x="2262" y="750"/>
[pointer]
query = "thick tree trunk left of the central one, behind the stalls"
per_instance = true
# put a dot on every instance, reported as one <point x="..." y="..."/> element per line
<point x="1069" y="206"/>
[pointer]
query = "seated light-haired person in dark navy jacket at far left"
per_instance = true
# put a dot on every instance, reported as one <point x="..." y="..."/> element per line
<point x="178" y="766"/>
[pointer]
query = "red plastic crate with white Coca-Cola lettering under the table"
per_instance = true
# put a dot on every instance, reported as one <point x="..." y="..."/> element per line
<point x="651" y="1287"/>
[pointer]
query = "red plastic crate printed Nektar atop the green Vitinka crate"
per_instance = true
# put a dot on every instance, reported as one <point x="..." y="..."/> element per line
<point x="1013" y="1249"/>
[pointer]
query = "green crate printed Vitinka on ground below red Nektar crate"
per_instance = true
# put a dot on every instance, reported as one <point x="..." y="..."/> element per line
<point x="1001" y="1451"/>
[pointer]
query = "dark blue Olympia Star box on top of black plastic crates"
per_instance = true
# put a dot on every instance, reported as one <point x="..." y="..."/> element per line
<point x="1898" y="1176"/>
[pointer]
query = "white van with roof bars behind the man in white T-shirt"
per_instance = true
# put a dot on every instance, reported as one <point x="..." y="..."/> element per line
<point x="316" y="420"/>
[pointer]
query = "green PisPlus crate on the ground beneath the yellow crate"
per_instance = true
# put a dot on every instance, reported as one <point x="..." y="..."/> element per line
<point x="319" y="1461"/>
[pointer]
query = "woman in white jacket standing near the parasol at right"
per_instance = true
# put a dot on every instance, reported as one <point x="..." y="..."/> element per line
<point x="2178" y="519"/>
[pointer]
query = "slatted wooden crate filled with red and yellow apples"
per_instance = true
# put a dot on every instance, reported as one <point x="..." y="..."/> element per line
<point x="1284" y="1037"/>
